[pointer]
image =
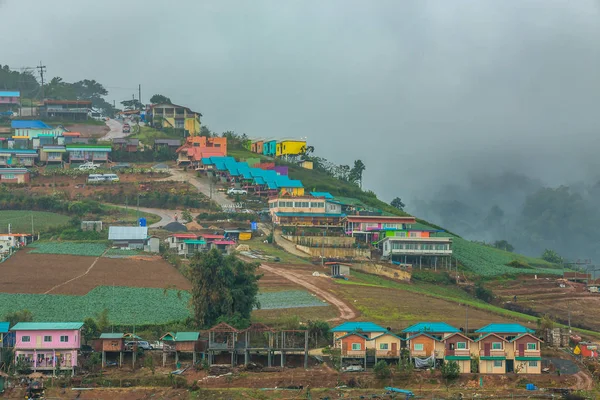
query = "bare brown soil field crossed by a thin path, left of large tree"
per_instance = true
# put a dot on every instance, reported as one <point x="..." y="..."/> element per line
<point x="38" y="273"/>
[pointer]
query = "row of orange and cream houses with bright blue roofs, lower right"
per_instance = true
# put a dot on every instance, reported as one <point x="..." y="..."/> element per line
<point x="499" y="348"/>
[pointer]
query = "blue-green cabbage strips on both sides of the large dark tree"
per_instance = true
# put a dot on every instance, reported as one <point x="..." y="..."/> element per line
<point x="129" y="305"/>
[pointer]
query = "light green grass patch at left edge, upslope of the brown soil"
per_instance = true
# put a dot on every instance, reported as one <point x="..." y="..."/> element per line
<point x="20" y="221"/>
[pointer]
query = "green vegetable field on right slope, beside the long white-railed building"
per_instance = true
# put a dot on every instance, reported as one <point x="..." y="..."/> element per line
<point x="488" y="261"/>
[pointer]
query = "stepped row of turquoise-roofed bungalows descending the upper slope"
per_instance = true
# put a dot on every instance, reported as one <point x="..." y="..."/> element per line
<point x="255" y="180"/>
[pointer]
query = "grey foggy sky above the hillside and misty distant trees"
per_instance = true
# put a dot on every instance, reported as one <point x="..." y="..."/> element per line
<point x="423" y="92"/>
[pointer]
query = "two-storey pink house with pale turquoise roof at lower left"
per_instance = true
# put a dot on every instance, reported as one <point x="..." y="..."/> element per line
<point x="48" y="345"/>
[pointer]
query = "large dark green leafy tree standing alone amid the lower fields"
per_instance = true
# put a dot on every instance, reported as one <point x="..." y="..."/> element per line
<point x="222" y="286"/>
